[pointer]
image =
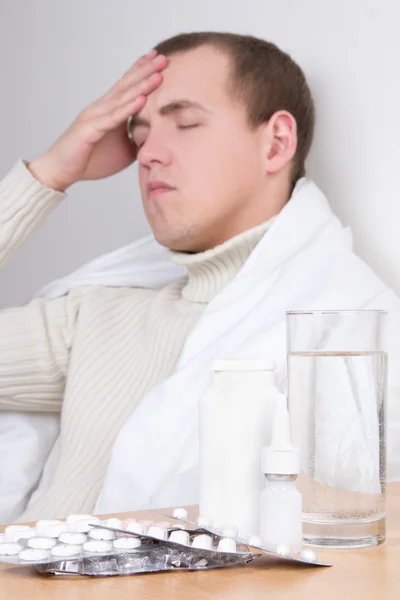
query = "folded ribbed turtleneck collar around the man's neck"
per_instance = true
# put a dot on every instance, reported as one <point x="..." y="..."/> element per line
<point x="210" y="271"/>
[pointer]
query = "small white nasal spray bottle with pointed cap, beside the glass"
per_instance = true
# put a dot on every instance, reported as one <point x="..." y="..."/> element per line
<point x="281" y="503"/>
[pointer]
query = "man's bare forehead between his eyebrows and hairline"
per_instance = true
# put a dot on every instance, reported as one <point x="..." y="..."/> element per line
<point x="199" y="75"/>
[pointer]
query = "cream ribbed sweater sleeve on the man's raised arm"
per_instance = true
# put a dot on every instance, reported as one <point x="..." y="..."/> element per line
<point x="35" y="339"/>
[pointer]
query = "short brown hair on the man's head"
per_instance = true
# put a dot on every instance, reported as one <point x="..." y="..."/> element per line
<point x="264" y="77"/>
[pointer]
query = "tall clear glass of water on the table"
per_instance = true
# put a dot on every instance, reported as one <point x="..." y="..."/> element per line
<point x="337" y="380"/>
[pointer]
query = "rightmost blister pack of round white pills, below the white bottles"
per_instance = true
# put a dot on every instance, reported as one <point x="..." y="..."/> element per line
<point x="305" y="556"/>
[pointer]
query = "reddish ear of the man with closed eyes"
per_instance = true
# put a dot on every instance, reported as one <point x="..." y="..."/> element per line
<point x="280" y="141"/>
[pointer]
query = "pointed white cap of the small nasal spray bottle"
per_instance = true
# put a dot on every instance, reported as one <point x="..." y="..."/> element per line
<point x="281" y="457"/>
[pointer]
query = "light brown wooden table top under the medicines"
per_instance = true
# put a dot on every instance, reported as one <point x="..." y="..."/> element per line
<point x="368" y="574"/>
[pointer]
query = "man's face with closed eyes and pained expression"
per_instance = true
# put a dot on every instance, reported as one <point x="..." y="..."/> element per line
<point x="196" y="139"/>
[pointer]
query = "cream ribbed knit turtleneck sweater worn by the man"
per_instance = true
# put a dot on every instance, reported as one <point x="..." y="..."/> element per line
<point x="94" y="353"/>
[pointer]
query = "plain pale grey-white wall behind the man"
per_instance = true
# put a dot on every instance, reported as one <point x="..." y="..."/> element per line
<point x="56" y="57"/>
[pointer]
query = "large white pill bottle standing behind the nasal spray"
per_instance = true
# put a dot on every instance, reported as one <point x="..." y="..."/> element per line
<point x="235" y="423"/>
